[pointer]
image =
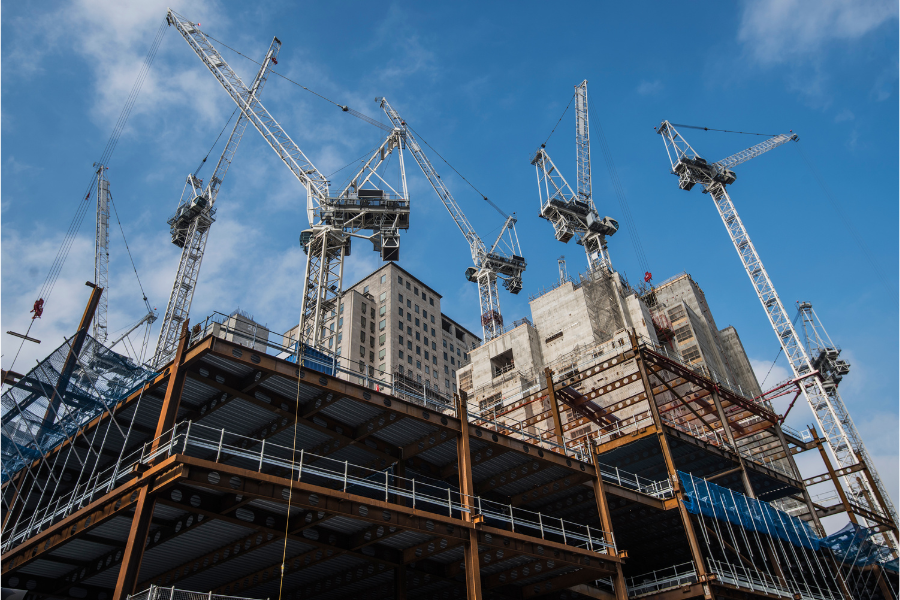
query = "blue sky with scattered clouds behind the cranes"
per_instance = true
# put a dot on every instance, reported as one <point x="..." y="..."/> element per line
<point x="484" y="83"/>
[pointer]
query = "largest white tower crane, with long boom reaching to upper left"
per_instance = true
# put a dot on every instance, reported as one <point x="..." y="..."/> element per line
<point x="334" y="220"/>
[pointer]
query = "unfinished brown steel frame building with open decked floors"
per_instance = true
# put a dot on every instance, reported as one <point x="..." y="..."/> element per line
<point x="373" y="496"/>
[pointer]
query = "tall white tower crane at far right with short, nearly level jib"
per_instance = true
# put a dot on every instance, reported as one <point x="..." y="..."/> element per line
<point x="821" y="391"/>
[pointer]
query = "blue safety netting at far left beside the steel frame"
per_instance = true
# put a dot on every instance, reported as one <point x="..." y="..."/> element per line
<point x="32" y="425"/>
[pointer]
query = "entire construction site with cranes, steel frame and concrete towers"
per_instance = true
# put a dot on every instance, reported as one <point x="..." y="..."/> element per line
<point x="615" y="443"/>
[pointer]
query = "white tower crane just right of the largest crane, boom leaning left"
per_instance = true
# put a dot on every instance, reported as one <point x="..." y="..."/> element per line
<point x="503" y="260"/>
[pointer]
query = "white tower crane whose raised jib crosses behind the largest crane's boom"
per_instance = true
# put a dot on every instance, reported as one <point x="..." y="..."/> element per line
<point x="190" y="225"/>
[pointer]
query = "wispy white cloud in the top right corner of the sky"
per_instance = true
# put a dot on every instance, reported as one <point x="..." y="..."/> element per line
<point x="781" y="31"/>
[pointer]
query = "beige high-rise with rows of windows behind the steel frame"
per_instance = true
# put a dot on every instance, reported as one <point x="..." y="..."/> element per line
<point x="391" y="328"/>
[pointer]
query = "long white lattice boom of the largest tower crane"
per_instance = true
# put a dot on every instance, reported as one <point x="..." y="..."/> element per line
<point x="250" y="106"/>
